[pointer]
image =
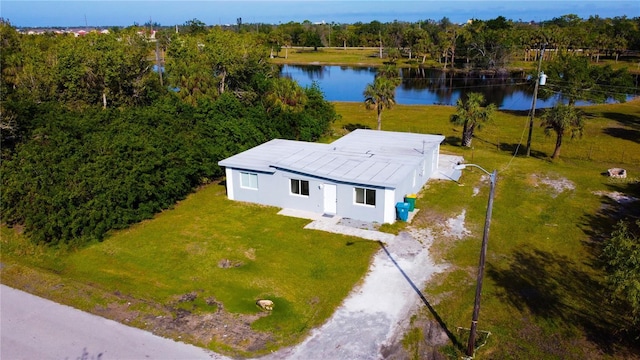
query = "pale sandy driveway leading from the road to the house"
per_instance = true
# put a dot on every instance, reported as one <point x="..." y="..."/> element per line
<point x="376" y="310"/>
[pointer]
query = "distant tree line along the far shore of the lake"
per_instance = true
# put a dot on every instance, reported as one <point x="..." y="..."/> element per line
<point x="477" y="43"/>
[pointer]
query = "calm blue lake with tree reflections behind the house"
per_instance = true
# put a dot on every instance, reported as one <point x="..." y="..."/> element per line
<point x="420" y="86"/>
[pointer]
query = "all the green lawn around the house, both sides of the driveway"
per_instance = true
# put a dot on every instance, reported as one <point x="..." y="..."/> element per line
<point x="543" y="295"/>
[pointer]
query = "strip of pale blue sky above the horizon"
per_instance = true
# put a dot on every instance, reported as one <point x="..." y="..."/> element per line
<point x="25" y="13"/>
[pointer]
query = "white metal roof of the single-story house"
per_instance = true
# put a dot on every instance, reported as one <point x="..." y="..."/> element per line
<point x="368" y="157"/>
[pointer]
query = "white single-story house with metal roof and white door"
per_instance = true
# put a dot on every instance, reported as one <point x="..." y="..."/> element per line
<point x="359" y="176"/>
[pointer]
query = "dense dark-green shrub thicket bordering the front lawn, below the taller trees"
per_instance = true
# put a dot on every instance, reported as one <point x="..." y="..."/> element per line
<point x="77" y="175"/>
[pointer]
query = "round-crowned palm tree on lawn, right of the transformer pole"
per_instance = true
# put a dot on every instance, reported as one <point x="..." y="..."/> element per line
<point x="560" y="119"/>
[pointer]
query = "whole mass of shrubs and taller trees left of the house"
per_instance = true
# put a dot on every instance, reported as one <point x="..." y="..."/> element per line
<point x="95" y="138"/>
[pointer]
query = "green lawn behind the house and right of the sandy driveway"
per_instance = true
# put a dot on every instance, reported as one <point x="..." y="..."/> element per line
<point x="544" y="293"/>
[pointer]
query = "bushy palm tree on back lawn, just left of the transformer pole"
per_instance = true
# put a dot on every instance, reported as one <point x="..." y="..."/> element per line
<point x="471" y="115"/>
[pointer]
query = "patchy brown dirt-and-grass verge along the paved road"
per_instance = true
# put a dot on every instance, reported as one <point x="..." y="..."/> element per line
<point x="190" y="317"/>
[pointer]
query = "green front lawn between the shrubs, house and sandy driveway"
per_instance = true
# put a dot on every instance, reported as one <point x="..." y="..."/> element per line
<point x="306" y="273"/>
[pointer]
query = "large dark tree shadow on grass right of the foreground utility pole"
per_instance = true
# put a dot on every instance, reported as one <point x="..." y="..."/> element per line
<point x="553" y="287"/>
